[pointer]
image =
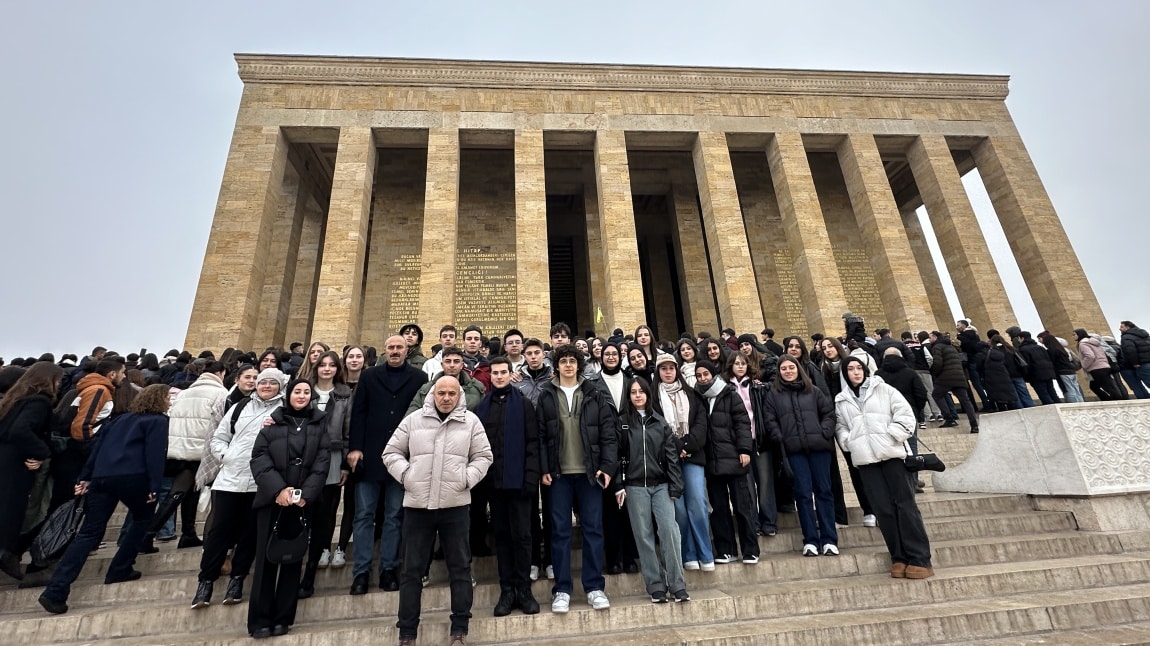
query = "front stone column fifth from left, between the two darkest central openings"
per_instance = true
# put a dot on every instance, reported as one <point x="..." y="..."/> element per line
<point x="623" y="306"/>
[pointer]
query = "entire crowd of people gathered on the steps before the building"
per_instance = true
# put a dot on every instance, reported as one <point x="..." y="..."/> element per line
<point x="670" y="456"/>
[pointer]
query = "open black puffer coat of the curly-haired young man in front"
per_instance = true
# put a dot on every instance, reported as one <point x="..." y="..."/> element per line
<point x="599" y="428"/>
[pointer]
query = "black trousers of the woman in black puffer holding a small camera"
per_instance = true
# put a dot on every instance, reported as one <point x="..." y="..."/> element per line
<point x="275" y="589"/>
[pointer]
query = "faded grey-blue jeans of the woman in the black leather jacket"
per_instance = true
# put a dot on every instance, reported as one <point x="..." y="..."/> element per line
<point x="645" y="503"/>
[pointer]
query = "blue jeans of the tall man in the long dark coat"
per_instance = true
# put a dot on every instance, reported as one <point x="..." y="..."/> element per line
<point x="367" y="497"/>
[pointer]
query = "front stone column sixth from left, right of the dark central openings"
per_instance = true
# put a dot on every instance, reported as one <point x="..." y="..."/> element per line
<point x="737" y="293"/>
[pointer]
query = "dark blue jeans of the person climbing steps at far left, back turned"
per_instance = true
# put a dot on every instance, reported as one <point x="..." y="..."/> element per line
<point x="103" y="496"/>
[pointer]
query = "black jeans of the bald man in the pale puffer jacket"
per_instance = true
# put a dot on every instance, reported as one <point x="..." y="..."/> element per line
<point x="420" y="530"/>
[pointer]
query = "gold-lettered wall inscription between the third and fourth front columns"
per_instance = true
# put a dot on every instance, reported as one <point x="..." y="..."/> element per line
<point x="486" y="289"/>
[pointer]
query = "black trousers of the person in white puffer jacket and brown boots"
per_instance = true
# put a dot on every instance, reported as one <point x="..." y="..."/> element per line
<point x="900" y="520"/>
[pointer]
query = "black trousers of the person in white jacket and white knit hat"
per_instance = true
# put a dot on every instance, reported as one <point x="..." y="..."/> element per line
<point x="233" y="526"/>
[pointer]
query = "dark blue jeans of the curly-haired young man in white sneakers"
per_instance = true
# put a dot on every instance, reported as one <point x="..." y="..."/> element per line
<point x="568" y="491"/>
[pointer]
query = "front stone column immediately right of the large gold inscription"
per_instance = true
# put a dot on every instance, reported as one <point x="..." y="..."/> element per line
<point x="534" y="303"/>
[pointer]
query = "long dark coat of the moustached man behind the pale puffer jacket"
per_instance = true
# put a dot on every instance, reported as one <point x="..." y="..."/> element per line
<point x="378" y="407"/>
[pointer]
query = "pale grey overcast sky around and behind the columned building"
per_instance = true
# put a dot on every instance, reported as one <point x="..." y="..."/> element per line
<point x="120" y="114"/>
